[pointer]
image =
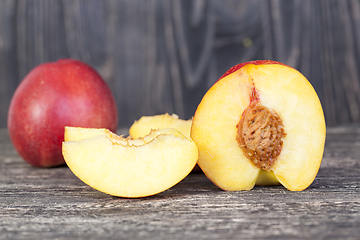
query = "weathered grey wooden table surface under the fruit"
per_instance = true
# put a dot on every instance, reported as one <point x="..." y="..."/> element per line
<point x="52" y="203"/>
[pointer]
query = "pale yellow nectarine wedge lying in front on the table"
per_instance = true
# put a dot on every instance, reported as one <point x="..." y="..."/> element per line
<point x="128" y="167"/>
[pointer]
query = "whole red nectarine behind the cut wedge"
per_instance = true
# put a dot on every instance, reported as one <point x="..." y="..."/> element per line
<point x="54" y="95"/>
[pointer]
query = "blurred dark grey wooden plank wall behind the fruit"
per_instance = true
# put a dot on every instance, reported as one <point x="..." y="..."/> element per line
<point x="162" y="55"/>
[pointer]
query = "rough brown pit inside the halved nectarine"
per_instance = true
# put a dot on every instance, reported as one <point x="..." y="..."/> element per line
<point x="260" y="133"/>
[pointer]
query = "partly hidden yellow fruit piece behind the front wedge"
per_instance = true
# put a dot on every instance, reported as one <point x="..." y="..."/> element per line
<point x="145" y="124"/>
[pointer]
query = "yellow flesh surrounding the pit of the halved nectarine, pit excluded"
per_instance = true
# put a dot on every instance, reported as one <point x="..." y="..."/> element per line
<point x="280" y="88"/>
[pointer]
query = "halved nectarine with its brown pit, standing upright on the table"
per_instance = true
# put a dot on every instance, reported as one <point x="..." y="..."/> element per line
<point x="293" y="138"/>
